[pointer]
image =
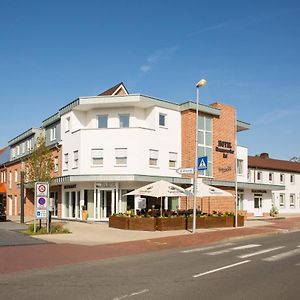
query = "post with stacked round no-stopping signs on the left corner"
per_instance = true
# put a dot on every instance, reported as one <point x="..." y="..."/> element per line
<point x="41" y="203"/>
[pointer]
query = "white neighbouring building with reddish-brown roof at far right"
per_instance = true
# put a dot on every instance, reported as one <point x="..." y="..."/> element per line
<point x="282" y="174"/>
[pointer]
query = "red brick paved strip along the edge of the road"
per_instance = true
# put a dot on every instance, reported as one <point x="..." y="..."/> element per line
<point x="21" y="258"/>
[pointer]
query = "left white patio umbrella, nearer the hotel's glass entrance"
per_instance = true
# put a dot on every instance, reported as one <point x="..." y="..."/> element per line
<point x="159" y="189"/>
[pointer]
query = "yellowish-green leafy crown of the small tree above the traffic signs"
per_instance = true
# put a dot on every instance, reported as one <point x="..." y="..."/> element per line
<point x="39" y="166"/>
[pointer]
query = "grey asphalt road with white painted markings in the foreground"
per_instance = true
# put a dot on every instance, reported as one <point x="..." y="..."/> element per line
<point x="260" y="268"/>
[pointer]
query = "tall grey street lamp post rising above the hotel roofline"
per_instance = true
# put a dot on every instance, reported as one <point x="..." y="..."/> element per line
<point x="201" y="83"/>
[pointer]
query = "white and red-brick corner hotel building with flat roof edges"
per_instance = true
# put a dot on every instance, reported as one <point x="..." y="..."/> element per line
<point x="107" y="145"/>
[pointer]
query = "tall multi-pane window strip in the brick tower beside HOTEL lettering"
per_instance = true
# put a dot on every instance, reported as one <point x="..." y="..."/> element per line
<point x="205" y="142"/>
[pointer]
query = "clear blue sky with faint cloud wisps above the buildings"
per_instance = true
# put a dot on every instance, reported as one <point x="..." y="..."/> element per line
<point x="52" y="52"/>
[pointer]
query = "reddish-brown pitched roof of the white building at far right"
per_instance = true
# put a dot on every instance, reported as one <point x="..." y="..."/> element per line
<point x="264" y="162"/>
